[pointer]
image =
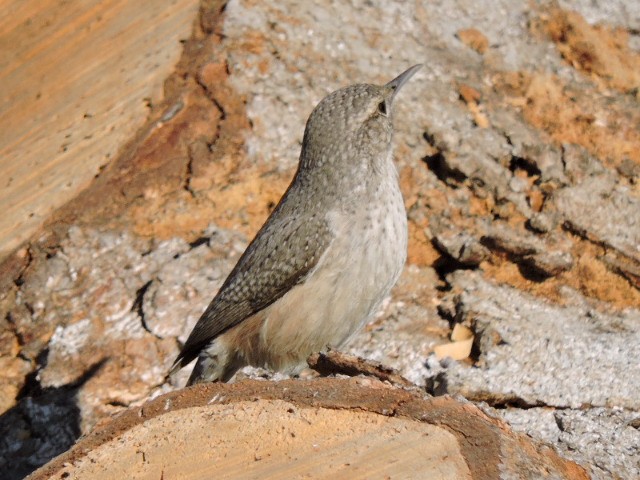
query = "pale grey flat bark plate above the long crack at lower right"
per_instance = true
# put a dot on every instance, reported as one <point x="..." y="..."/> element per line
<point x="555" y="344"/>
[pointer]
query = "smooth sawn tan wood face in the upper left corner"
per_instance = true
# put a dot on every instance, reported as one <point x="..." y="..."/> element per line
<point x="76" y="79"/>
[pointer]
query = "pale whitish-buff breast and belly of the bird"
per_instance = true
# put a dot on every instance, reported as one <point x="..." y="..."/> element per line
<point x="342" y="293"/>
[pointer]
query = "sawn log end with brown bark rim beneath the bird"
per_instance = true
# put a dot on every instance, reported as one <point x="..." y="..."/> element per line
<point x="324" y="428"/>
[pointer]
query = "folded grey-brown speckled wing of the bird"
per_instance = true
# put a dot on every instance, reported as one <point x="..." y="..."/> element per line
<point x="283" y="252"/>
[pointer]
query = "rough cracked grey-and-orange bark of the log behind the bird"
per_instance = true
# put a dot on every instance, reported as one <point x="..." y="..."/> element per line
<point x="518" y="147"/>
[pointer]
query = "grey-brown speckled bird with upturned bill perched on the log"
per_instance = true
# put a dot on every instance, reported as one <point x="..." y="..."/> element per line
<point x="328" y="255"/>
